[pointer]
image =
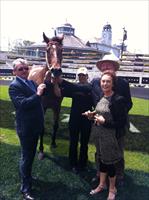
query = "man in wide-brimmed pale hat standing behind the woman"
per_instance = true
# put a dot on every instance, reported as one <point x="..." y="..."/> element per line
<point x="110" y="62"/>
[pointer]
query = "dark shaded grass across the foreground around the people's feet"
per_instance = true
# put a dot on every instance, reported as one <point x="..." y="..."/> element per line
<point x="56" y="182"/>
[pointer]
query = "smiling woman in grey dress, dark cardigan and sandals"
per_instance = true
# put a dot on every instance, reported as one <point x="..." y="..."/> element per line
<point x="109" y="118"/>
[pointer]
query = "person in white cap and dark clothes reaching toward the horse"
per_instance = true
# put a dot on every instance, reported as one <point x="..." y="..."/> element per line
<point x="79" y="126"/>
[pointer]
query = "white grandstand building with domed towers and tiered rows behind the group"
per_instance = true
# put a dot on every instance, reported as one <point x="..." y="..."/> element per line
<point x="76" y="53"/>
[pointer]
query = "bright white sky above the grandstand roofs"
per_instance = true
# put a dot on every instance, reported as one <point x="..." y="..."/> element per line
<point x="28" y="19"/>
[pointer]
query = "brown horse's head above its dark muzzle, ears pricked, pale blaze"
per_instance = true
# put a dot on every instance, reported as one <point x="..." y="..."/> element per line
<point x="53" y="51"/>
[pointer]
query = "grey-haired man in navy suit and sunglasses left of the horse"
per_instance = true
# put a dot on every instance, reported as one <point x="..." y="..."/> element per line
<point x="26" y="98"/>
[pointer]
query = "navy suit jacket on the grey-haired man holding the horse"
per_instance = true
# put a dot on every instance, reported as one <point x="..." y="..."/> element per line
<point x="29" y="111"/>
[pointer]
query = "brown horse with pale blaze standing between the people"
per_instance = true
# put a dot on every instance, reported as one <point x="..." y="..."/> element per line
<point x="42" y="74"/>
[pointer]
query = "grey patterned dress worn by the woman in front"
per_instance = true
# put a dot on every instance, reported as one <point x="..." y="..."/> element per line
<point x="105" y="138"/>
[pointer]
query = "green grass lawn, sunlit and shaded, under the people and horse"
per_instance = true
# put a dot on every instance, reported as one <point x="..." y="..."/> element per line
<point x="56" y="181"/>
